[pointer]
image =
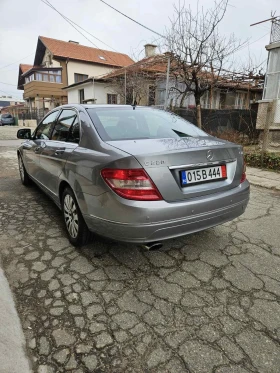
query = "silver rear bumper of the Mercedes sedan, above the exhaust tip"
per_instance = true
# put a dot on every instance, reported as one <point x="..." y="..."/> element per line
<point x="199" y="214"/>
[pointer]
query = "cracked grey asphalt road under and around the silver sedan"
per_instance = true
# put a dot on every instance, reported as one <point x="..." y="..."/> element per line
<point x="205" y="303"/>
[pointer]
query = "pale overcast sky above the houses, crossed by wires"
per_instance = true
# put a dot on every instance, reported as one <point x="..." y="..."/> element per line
<point x="23" y="21"/>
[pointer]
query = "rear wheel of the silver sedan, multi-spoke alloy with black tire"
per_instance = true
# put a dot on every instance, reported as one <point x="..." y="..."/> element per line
<point x="78" y="232"/>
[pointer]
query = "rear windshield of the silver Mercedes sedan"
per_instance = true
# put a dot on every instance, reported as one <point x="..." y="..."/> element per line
<point x="140" y="123"/>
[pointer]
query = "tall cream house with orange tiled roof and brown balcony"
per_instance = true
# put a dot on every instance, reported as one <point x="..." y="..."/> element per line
<point x="58" y="64"/>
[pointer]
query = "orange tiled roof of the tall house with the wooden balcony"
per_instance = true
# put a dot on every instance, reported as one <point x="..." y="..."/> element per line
<point x="79" y="52"/>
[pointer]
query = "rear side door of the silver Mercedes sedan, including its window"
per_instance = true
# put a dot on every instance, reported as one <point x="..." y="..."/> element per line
<point x="64" y="139"/>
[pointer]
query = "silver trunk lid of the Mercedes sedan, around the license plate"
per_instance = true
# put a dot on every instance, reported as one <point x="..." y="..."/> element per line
<point x="165" y="159"/>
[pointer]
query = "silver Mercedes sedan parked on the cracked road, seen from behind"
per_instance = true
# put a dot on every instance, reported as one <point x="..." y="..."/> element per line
<point x="133" y="174"/>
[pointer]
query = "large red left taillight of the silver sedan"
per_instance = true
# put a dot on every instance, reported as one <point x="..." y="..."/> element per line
<point x="131" y="184"/>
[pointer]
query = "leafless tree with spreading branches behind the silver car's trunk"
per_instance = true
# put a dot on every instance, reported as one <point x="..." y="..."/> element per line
<point x="199" y="53"/>
